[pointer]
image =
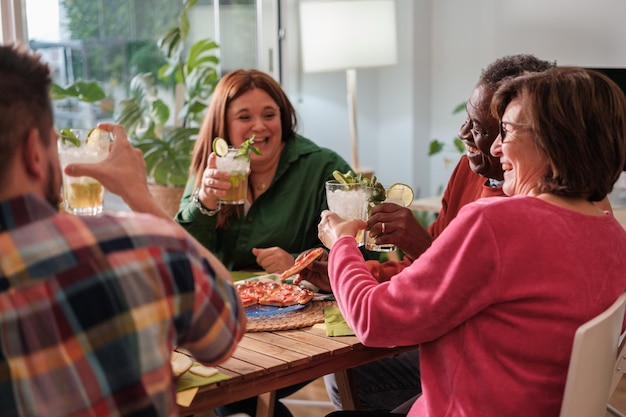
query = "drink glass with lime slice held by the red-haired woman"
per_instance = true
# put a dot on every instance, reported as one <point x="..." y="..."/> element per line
<point x="237" y="164"/>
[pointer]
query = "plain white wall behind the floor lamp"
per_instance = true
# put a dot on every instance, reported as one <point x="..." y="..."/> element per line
<point x="443" y="46"/>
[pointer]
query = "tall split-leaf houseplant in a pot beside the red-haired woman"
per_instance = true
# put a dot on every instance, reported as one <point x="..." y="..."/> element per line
<point x="166" y="145"/>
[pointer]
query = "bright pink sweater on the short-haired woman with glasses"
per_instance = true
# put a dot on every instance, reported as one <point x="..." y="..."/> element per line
<point x="493" y="303"/>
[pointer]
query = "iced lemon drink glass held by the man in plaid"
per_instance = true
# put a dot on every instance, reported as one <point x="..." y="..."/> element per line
<point x="83" y="196"/>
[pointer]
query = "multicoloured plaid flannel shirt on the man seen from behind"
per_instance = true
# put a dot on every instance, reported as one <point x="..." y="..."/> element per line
<point x="90" y="308"/>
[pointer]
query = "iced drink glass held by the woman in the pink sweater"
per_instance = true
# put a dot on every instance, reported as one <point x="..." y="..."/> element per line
<point x="349" y="201"/>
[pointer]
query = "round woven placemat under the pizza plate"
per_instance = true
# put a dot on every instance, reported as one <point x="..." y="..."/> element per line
<point x="308" y="316"/>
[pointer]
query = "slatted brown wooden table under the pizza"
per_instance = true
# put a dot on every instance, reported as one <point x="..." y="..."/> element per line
<point x="266" y="361"/>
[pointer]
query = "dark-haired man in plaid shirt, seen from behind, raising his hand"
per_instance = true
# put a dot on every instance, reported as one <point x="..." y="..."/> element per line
<point x="91" y="307"/>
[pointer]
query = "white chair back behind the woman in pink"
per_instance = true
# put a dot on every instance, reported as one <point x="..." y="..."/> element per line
<point x="591" y="368"/>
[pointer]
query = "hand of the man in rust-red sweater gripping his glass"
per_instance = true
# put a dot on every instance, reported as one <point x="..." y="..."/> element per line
<point x="401" y="228"/>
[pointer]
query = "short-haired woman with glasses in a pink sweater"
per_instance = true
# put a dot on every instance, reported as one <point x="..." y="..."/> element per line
<point x="495" y="301"/>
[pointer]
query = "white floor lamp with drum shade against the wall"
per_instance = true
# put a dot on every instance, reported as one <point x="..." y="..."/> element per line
<point x="339" y="35"/>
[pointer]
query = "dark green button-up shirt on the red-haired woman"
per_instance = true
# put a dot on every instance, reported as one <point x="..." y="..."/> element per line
<point x="285" y="215"/>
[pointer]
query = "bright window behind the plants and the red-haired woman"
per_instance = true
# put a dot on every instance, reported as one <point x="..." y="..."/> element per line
<point x="110" y="41"/>
